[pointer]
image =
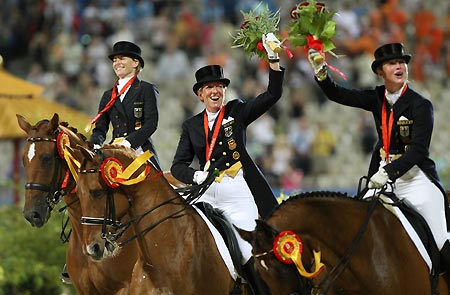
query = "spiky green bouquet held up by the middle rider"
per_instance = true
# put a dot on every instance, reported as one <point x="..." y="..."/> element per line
<point x="256" y="23"/>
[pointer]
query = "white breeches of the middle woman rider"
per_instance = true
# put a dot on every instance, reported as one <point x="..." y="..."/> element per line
<point x="235" y="199"/>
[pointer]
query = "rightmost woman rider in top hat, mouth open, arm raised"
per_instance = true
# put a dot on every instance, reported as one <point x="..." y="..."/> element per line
<point x="404" y="122"/>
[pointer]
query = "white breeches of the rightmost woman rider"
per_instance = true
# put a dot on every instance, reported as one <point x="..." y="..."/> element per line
<point x="425" y="197"/>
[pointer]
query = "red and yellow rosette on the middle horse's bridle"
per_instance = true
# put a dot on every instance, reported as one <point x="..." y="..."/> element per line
<point x="113" y="173"/>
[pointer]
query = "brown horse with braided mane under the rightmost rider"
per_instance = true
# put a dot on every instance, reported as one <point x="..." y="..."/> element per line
<point x="363" y="246"/>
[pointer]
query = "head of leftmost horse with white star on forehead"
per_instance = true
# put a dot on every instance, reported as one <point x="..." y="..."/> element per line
<point x="45" y="168"/>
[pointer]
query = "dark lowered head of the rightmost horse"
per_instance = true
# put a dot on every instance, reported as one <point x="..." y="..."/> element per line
<point x="272" y="270"/>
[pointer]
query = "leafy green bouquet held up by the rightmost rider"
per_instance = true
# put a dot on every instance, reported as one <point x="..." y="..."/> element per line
<point x="312" y="23"/>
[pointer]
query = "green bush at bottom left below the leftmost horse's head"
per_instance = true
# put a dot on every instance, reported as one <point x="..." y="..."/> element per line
<point x="31" y="259"/>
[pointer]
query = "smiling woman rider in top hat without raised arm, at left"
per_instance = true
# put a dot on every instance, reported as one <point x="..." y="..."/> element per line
<point x="130" y="106"/>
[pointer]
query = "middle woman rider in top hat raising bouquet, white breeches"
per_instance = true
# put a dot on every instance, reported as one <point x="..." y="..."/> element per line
<point x="216" y="137"/>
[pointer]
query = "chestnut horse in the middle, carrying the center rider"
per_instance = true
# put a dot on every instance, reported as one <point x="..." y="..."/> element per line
<point x="177" y="250"/>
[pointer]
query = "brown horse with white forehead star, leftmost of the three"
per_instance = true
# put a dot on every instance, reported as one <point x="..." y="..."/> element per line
<point x="48" y="178"/>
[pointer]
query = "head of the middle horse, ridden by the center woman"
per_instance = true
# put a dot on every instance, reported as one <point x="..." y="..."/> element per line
<point x="104" y="207"/>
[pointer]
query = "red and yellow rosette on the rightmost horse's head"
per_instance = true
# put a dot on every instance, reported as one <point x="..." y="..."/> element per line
<point x="288" y="249"/>
